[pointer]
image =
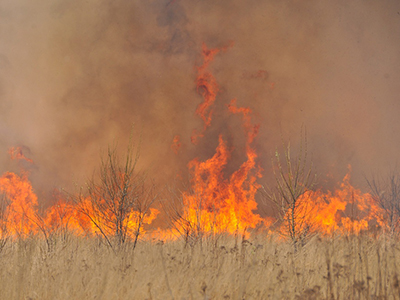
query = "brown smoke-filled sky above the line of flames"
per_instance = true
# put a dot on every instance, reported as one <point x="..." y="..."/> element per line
<point x="76" y="75"/>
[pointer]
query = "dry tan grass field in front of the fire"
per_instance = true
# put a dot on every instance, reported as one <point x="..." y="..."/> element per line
<point x="261" y="268"/>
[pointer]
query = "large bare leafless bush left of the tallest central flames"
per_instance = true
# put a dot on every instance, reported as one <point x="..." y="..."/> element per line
<point x="118" y="201"/>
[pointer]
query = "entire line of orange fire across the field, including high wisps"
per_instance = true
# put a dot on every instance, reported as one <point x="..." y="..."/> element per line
<point x="217" y="202"/>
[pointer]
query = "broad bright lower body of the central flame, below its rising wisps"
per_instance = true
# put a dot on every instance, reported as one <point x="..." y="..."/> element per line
<point x="218" y="204"/>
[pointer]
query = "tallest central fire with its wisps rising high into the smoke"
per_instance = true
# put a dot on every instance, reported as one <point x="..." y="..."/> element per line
<point x="217" y="202"/>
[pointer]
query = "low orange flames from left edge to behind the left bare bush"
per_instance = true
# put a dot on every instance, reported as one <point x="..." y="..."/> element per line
<point x="21" y="216"/>
